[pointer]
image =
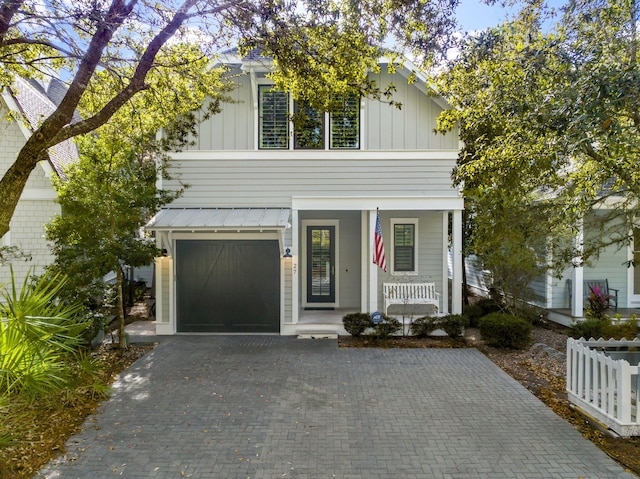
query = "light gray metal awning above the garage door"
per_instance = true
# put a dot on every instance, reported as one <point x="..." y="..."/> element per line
<point x="214" y="219"/>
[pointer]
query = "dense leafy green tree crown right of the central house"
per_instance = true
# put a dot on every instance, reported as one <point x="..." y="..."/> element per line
<point x="549" y="122"/>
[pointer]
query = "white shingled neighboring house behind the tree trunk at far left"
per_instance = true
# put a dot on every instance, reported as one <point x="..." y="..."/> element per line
<point x="28" y="102"/>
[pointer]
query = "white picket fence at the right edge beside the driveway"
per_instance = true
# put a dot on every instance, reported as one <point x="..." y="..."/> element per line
<point x="605" y="386"/>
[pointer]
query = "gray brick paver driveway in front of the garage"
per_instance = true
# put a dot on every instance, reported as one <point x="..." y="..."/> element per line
<point x="275" y="407"/>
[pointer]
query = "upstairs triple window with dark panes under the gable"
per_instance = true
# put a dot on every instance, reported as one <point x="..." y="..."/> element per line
<point x="307" y="124"/>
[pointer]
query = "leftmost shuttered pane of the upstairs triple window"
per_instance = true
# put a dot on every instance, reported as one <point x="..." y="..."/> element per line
<point x="274" y="118"/>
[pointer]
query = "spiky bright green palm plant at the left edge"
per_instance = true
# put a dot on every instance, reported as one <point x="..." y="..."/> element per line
<point x="37" y="333"/>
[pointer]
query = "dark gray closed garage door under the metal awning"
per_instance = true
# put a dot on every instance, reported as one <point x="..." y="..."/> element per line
<point x="228" y="286"/>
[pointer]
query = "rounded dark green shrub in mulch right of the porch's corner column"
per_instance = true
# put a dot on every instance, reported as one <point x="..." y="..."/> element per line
<point x="504" y="330"/>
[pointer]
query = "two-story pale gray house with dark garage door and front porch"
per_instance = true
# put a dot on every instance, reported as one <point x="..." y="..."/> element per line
<point x="276" y="230"/>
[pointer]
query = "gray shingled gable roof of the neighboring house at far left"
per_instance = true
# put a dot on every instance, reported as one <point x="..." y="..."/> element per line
<point x="31" y="100"/>
